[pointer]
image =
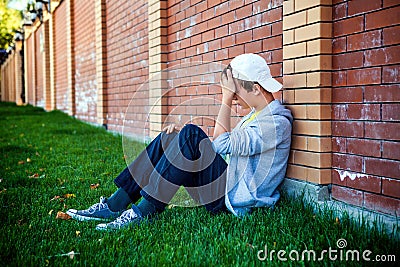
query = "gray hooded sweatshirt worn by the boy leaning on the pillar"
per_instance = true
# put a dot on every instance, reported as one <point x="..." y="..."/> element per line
<point x="258" y="148"/>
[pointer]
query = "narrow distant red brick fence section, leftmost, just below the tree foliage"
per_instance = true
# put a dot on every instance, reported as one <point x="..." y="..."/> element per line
<point x="30" y="69"/>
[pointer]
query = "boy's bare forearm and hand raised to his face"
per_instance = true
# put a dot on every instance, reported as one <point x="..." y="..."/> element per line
<point x="223" y="123"/>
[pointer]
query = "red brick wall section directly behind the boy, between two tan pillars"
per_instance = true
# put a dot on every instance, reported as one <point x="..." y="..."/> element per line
<point x="216" y="31"/>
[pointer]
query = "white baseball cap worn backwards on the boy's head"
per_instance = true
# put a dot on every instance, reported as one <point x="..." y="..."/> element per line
<point x="252" y="67"/>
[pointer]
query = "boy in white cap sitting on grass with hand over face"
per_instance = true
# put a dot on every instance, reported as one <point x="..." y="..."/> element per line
<point x="256" y="150"/>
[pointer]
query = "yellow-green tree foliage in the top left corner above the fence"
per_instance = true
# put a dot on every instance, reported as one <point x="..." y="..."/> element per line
<point x="10" y="21"/>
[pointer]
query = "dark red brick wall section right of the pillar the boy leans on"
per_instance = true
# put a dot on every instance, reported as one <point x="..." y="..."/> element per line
<point x="366" y="109"/>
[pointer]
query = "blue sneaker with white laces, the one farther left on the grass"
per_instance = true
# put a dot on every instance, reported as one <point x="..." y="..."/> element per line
<point x="97" y="212"/>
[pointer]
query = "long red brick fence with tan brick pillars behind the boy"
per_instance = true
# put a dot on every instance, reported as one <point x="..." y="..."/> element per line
<point x="133" y="65"/>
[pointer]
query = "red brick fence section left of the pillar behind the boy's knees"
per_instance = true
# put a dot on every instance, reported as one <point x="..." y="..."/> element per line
<point x="127" y="64"/>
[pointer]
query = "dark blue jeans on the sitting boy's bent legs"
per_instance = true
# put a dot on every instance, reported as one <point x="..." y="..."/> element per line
<point x="173" y="160"/>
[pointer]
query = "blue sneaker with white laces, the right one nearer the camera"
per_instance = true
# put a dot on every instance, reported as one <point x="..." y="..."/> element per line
<point x="129" y="217"/>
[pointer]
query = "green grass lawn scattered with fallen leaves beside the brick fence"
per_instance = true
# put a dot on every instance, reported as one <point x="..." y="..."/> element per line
<point x="46" y="155"/>
